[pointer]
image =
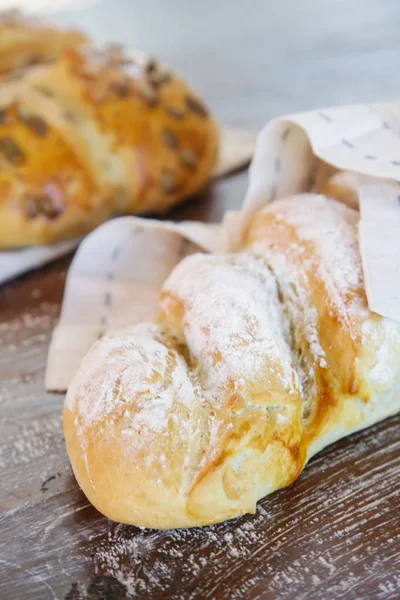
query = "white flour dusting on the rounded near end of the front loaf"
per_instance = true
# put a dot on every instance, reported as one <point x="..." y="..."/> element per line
<point x="132" y="369"/>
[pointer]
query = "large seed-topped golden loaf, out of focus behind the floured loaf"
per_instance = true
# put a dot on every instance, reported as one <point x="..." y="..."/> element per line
<point x="96" y="133"/>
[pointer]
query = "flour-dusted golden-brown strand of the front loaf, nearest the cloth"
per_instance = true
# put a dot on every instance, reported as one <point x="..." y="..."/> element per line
<point x="321" y="282"/>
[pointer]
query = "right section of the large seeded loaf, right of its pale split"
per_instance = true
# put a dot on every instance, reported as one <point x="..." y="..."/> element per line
<point x="158" y="127"/>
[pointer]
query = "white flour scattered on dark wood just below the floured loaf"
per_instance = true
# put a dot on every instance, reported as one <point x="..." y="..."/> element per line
<point x="143" y="562"/>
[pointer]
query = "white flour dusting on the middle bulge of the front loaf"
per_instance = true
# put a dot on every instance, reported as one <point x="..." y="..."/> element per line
<point x="232" y="323"/>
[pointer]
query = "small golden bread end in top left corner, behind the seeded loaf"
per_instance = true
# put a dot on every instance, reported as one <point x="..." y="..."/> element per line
<point x="25" y="41"/>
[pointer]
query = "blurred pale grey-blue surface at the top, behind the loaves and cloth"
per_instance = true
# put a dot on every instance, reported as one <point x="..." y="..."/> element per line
<point x="257" y="59"/>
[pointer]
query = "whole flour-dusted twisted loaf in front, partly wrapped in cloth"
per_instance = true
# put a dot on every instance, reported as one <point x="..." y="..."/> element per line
<point x="259" y="359"/>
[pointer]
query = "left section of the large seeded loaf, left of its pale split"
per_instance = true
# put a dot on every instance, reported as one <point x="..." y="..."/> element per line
<point x="46" y="193"/>
